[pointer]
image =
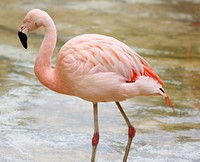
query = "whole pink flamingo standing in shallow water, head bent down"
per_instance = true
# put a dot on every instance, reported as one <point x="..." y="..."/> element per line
<point x="93" y="67"/>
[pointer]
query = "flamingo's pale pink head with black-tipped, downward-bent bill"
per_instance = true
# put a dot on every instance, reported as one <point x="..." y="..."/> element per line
<point x="32" y="21"/>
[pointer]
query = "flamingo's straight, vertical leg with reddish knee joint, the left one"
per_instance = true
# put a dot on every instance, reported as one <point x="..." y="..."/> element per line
<point x="95" y="139"/>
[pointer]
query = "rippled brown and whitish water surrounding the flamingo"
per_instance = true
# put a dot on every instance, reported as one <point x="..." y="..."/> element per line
<point x="38" y="125"/>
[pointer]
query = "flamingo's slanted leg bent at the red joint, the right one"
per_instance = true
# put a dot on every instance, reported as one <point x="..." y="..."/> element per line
<point x="131" y="131"/>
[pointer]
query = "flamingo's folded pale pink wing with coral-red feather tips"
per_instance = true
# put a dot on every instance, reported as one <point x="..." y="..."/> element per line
<point x="96" y="53"/>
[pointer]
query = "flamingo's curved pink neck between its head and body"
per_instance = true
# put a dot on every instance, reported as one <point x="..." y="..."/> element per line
<point x="43" y="70"/>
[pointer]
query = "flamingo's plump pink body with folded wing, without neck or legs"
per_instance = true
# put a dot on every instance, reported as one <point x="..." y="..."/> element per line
<point x="96" y="61"/>
